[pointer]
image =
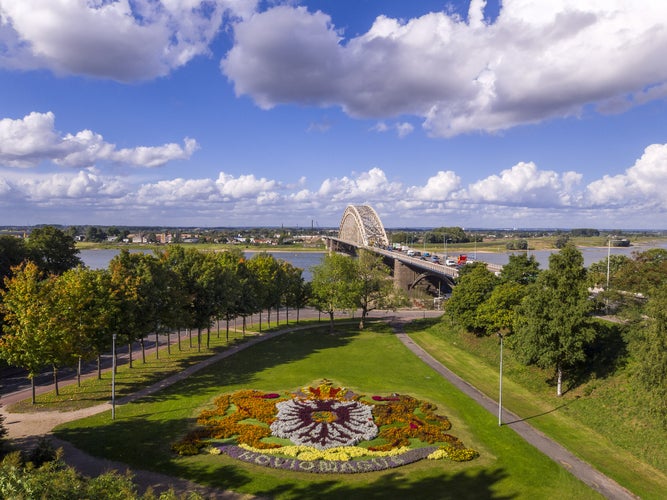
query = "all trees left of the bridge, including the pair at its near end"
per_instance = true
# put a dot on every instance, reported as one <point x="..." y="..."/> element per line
<point x="56" y="313"/>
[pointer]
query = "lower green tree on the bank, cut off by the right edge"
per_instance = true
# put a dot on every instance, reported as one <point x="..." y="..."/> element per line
<point x="648" y="347"/>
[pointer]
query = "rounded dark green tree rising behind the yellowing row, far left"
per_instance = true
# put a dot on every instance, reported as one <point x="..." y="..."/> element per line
<point x="52" y="250"/>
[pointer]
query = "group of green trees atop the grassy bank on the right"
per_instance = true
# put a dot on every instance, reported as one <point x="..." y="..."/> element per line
<point x="547" y="315"/>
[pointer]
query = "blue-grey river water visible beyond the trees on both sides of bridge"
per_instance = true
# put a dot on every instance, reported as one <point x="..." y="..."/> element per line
<point x="99" y="259"/>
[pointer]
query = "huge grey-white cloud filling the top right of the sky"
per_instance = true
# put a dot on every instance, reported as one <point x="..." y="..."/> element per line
<point x="536" y="61"/>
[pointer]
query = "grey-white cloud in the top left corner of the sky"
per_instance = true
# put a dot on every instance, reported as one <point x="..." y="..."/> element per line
<point x="121" y="40"/>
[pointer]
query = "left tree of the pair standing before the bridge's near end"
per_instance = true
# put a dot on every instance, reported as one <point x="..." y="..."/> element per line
<point x="335" y="285"/>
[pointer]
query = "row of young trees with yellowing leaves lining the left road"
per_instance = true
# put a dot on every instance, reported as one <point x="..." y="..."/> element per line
<point x="55" y="320"/>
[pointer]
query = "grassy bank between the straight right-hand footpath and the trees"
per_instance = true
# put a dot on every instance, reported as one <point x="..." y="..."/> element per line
<point x="588" y="424"/>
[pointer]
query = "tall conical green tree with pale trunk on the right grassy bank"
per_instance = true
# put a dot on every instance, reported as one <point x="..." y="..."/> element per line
<point x="553" y="328"/>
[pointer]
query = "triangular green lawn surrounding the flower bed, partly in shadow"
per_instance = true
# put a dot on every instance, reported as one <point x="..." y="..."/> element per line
<point x="368" y="362"/>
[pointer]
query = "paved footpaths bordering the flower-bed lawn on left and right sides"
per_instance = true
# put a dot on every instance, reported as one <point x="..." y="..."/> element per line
<point x="25" y="428"/>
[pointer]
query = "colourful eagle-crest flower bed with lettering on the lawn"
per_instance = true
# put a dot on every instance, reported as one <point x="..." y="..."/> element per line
<point x="324" y="429"/>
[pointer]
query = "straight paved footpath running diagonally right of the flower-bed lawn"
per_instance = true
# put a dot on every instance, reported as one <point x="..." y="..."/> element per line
<point x="580" y="469"/>
